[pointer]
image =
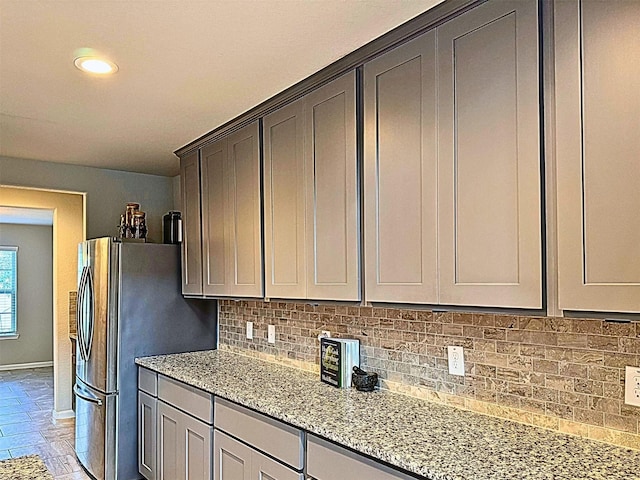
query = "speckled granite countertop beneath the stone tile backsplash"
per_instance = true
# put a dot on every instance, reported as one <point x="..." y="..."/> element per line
<point x="432" y="440"/>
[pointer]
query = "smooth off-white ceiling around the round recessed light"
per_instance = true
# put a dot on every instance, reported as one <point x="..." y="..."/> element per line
<point x="186" y="67"/>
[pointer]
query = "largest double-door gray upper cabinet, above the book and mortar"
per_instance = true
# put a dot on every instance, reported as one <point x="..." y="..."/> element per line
<point x="452" y="163"/>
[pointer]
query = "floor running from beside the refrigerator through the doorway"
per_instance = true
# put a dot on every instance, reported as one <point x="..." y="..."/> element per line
<point x="27" y="426"/>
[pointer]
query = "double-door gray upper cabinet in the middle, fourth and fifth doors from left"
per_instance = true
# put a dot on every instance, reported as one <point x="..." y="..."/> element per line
<point x="311" y="203"/>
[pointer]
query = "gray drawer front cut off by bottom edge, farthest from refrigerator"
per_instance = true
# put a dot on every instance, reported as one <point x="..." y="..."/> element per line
<point x="326" y="461"/>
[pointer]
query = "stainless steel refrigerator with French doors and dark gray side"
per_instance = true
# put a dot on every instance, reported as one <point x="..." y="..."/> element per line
<point x="129" y="305"/>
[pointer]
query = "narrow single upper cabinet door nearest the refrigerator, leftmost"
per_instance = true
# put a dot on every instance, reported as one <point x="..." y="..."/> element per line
<point x="192" y="236"/>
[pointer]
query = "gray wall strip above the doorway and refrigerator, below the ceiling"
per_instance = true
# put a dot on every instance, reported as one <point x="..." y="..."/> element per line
<point x="107" y="191"/>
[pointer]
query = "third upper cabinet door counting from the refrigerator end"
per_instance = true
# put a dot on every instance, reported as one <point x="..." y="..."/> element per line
<point x="244" y="253"/>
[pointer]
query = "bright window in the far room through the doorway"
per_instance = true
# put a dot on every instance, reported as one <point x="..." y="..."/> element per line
<point x="8" y="290"/>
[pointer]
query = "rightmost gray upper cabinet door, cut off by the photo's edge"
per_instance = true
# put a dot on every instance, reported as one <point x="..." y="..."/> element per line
<point x="597" y="153"/>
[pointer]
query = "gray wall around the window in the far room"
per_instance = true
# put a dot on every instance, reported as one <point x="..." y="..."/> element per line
<point x="35" y="294"/>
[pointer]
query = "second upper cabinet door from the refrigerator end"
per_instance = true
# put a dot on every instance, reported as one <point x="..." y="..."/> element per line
<point x="214" y="220"/>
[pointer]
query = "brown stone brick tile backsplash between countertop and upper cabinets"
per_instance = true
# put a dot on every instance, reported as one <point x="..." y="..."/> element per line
<point x="559" y="373"/>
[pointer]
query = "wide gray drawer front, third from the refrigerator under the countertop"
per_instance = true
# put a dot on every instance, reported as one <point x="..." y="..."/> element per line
<point x="272" y="437"/>
